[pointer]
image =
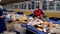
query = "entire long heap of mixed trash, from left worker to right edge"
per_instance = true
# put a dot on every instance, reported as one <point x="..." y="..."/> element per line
<point x="39" y="24"/>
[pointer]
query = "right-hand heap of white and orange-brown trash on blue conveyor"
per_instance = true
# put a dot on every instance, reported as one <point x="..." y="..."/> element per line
<point x="43" y="26"/>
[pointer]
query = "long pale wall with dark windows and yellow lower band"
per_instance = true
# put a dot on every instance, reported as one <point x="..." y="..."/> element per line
<point x="51" y="9"/>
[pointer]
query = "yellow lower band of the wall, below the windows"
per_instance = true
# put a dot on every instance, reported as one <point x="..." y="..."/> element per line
<point x="47" y="13"/>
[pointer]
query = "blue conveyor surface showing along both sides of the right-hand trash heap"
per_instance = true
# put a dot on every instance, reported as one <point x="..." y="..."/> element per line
<point x="34" y="29"/>
